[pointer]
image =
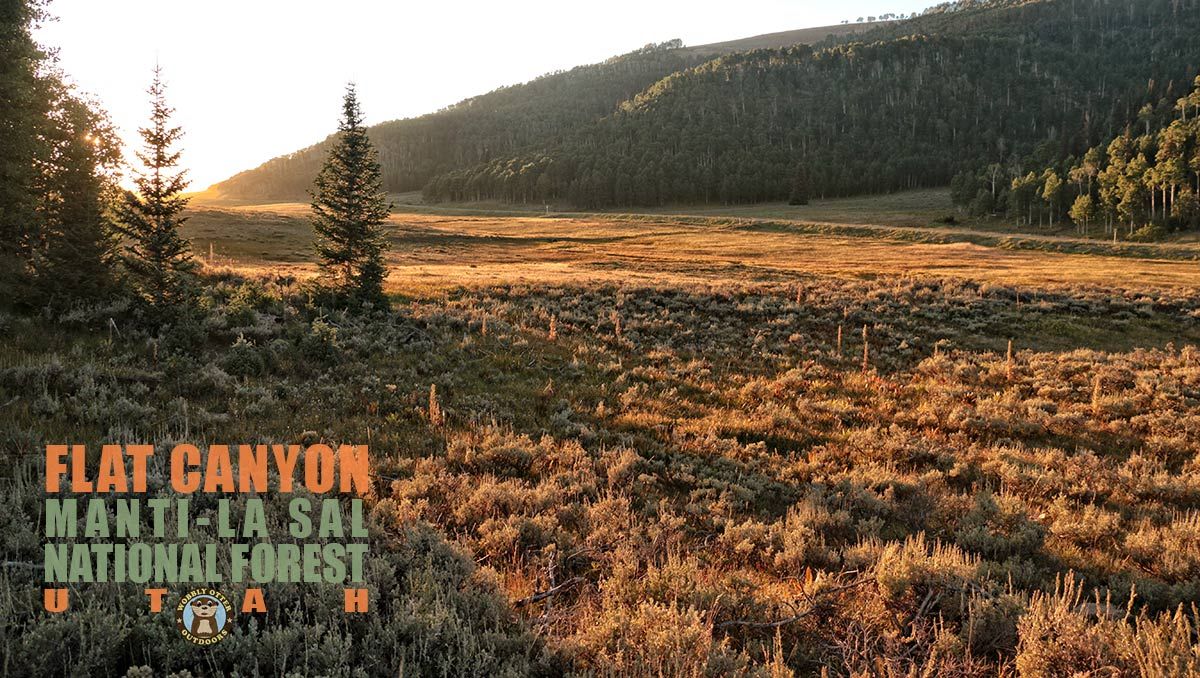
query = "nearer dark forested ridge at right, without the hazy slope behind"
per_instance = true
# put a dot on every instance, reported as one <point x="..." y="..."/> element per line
<point x="982" y="85"/>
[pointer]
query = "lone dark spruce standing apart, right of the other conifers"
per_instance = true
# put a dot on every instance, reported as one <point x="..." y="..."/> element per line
<point x="350" y="208"/>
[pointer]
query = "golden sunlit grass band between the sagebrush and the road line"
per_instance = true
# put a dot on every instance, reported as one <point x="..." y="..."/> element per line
<point x="434" y="253"/>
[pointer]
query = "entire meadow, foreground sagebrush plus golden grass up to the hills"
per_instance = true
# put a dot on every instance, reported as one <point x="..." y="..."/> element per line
<point x="671" y="446"/>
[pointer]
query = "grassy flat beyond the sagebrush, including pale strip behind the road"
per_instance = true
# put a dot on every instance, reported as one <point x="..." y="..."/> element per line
<point x="436" y="248"/>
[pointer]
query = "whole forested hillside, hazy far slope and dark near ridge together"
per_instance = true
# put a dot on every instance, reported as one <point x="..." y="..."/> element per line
<point x="903" y="105"/>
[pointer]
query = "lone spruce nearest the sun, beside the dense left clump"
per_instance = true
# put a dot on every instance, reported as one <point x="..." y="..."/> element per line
<point x="158" y="257"/>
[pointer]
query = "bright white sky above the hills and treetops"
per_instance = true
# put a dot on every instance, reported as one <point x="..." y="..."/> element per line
<point x="254" y="80"/>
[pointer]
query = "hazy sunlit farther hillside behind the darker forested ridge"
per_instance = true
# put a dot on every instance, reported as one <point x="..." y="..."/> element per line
<point x="507" y="121"/>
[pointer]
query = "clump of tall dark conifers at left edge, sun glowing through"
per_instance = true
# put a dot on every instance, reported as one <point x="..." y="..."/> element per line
<point x="59" y="159"/>
